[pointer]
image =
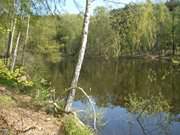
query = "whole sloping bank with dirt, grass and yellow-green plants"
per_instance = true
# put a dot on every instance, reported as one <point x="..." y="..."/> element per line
<point x="28" y="107"/>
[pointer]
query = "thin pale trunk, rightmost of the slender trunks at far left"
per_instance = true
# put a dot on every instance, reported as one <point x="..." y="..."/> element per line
<point x="26" y="40"/>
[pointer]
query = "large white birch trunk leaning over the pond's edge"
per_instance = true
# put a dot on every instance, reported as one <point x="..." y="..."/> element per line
<point x="71" y="94"/>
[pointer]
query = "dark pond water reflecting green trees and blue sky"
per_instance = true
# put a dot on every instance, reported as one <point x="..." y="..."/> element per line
<point x="109" y="82"/>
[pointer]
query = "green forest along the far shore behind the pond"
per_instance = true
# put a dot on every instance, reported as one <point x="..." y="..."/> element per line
<point x="135" y="30"/>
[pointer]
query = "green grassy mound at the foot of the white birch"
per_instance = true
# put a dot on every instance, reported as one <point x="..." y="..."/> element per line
<point x="72" y="126"/>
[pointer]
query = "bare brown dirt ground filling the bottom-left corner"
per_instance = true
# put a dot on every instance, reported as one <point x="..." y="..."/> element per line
<point x="18" y="121"/>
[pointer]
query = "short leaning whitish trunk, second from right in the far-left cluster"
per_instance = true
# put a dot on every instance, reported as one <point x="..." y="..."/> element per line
<point x="15" y="52"/>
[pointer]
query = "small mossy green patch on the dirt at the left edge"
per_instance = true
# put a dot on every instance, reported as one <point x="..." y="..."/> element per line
<point x="6" y="101"/>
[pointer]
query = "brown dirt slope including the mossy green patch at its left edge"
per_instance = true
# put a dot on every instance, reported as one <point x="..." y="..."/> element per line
<point x="15" y="120"/>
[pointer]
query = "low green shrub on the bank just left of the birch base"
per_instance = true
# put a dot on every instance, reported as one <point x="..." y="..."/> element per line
<point x="45" y="97"/>
